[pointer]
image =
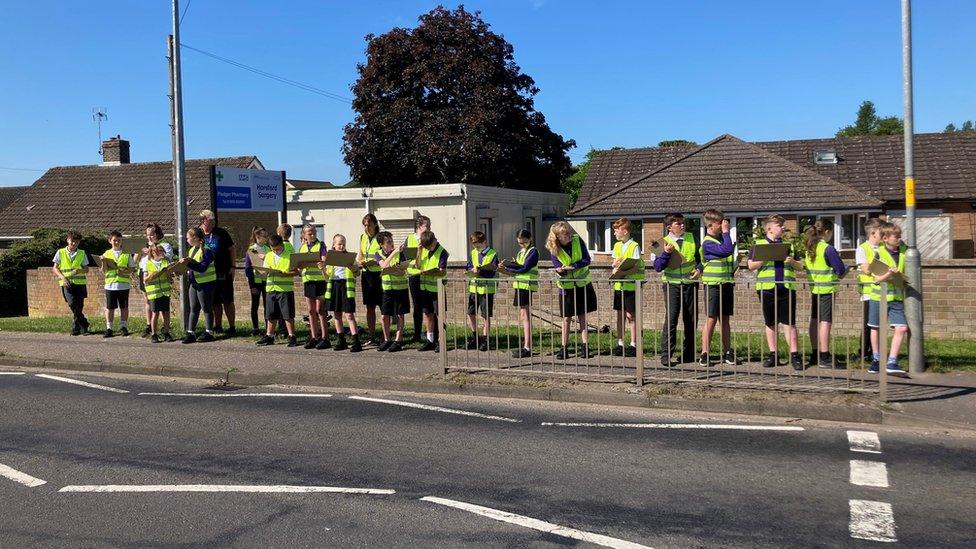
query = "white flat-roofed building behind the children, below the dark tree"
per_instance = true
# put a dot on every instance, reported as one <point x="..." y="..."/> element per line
<point x="455" y="210"/>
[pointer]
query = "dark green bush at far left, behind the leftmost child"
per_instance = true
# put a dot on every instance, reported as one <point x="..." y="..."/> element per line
<point x="31" y="254"/>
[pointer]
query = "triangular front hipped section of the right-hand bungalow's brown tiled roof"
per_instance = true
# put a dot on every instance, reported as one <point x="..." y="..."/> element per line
<point x="731" y="175"/>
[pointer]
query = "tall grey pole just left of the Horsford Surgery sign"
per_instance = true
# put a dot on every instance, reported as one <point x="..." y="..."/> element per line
<point x="179" y="161"/>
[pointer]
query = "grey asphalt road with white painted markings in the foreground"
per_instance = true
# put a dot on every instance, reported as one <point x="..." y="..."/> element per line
<point x="675" y="481"/>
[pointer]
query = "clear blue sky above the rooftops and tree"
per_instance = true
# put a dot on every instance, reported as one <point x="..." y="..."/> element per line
<point x="612" y="73"/>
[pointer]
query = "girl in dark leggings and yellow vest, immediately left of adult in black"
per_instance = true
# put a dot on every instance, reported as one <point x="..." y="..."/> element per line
<point x="202" y="277"/>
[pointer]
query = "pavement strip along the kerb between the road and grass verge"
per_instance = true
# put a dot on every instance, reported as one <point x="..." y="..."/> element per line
<point x="945" y="401"/>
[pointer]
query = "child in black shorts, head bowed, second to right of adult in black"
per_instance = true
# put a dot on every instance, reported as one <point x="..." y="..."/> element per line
<point x="280" y="287"/>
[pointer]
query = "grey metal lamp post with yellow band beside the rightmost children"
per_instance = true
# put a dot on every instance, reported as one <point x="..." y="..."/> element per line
<point x="913" y="260"/>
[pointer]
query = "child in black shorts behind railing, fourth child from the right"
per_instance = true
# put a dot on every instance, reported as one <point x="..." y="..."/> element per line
<point x="776" y="288"/>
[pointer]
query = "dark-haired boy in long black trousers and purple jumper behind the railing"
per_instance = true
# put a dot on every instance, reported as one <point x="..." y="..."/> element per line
<point x="680" y="289"/>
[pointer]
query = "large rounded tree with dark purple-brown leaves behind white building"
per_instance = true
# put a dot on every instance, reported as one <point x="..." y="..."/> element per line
<point x="445" y="102"/>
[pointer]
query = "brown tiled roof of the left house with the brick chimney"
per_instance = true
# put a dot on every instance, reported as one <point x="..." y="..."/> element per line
<point x="124" y="197"/>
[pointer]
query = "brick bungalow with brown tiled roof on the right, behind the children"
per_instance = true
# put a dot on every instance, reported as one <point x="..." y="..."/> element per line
<point x="848" y="179"/>
